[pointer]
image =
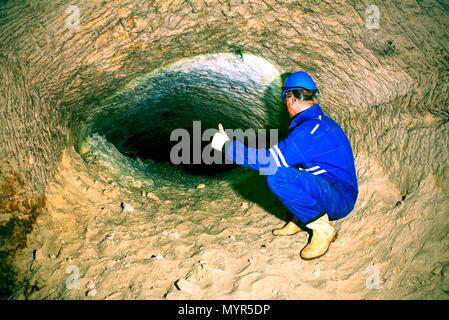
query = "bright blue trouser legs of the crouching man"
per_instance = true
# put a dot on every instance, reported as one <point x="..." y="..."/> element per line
<point x="310" y="196"/>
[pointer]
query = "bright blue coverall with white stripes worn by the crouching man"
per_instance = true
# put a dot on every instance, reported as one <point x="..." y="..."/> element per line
<point x="314" y="167"/>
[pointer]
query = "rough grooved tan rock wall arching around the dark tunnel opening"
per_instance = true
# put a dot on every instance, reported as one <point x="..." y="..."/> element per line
<point x="387" y="87"/>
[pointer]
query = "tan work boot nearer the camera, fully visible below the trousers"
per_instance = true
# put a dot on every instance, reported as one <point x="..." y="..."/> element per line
<point x="323" y="233"/>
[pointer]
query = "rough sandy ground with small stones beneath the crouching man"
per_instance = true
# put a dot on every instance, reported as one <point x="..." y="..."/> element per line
<point x="181" y="242"/>
